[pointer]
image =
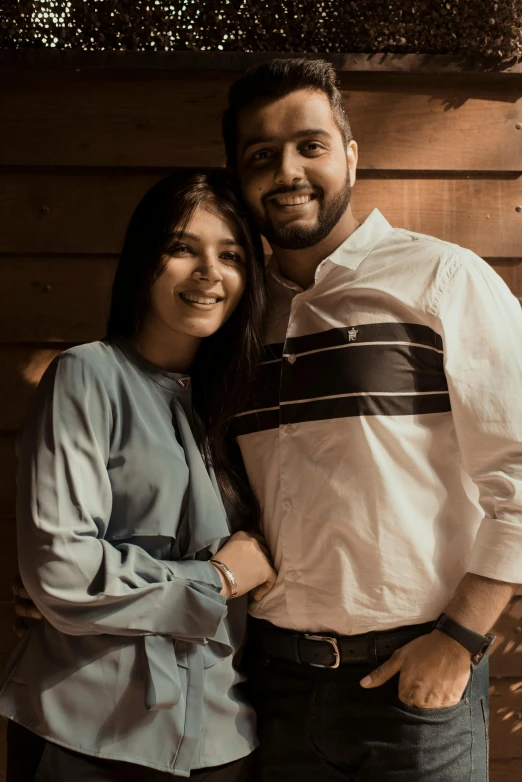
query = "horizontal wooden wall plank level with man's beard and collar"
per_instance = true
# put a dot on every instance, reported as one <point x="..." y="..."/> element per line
<point x="71" y="212"/>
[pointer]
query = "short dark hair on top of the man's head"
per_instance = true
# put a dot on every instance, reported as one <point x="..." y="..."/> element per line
<point x="274" y="80"/>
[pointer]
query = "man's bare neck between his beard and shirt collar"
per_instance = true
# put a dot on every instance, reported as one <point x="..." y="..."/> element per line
<point x="299" y="266"/>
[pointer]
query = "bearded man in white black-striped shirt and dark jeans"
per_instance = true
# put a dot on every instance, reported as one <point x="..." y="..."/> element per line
<point x="383" y="441"/>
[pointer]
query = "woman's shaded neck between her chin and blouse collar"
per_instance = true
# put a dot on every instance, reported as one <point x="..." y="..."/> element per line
<point x="169" y="351"/>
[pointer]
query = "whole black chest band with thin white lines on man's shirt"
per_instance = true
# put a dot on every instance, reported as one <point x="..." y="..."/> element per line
<point x="344" y="370"/>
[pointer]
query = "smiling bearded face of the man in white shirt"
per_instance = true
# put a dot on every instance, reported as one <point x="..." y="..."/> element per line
<point x="294" y="169"/>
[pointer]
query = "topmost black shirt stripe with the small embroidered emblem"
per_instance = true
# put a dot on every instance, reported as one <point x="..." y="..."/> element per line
<point x="370" y="332"/>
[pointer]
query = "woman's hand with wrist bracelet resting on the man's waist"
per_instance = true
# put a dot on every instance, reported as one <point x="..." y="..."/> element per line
<point x="247" y="557"/>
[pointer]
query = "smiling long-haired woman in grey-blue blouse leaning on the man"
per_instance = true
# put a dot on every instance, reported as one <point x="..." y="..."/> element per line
<point x="120" y="518"/>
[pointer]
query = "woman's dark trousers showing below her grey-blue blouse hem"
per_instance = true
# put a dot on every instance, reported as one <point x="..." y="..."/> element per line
<point x="32" y="759"/>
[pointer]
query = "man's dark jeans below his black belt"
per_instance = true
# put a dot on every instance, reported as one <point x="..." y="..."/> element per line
<point x="319" y="724"/>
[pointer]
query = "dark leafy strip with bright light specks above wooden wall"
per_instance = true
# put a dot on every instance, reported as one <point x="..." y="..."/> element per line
<point x="454" y="27"/>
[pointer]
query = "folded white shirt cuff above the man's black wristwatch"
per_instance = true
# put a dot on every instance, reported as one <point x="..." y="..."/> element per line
<point x="497" y="552"/>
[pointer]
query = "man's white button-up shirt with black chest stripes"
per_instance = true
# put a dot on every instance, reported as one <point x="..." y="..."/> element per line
<point x="384" y="435"/>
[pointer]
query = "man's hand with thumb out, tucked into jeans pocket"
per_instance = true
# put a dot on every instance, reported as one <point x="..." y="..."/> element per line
<point x="434" y="671"/>
